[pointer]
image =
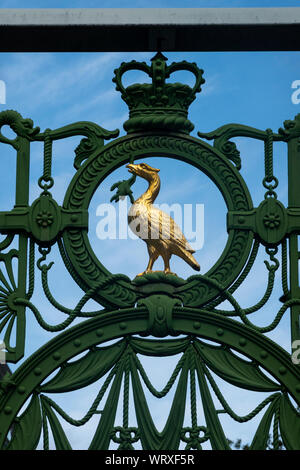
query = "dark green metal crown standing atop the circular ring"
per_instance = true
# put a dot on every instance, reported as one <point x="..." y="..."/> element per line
<point x="159" y="105"/>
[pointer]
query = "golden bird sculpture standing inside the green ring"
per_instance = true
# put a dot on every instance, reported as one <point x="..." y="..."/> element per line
<point x="163" y="236"/>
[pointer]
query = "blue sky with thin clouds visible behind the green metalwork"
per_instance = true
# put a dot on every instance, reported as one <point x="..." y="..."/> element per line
<point x="56" y="89"/>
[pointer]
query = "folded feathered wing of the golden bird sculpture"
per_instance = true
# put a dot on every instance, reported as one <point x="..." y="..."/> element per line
<point x="164" y="227"/>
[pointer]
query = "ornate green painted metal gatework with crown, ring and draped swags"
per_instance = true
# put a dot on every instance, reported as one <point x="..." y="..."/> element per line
<point x="153" y="315"/>
